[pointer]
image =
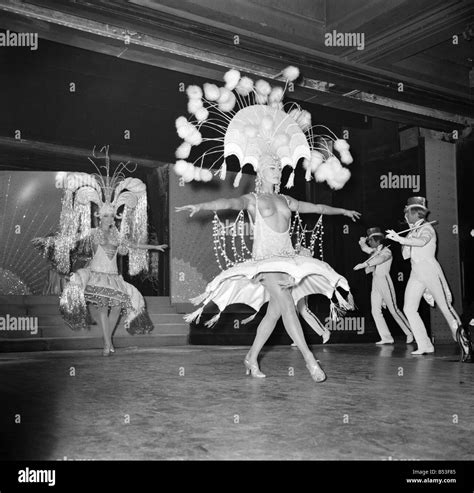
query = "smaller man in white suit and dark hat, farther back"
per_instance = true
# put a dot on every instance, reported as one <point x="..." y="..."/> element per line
<point x="383" y="292"/>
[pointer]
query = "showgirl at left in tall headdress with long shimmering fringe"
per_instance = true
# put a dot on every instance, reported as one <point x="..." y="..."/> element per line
<point x="99" y="285"/>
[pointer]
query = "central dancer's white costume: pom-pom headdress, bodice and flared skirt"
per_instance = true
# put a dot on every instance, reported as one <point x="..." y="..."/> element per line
<point x="251" y="122"/>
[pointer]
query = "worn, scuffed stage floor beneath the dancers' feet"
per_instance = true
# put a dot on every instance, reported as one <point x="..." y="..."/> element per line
<point x="195" y="402"/>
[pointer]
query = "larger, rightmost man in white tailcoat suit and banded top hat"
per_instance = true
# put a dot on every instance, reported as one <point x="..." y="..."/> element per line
<point x="427" y="279"/>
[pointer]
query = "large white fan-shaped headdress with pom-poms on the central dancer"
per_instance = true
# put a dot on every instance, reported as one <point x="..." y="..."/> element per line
<point x="251" y="122"/>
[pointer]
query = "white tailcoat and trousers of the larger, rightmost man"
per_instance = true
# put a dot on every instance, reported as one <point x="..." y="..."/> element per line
<point x="426" y="279"/>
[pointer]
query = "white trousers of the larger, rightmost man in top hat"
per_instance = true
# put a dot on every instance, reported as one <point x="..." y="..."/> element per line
<point x="428" y="275"/>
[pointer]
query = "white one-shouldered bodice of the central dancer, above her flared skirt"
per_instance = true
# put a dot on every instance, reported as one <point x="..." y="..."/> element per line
<point x="267" y="242"/>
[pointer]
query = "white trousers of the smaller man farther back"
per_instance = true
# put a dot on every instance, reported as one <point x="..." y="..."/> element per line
<point x="383" y="293"/>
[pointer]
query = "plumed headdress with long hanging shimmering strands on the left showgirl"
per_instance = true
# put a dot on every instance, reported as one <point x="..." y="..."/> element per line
<point x="109" y="192"/>
